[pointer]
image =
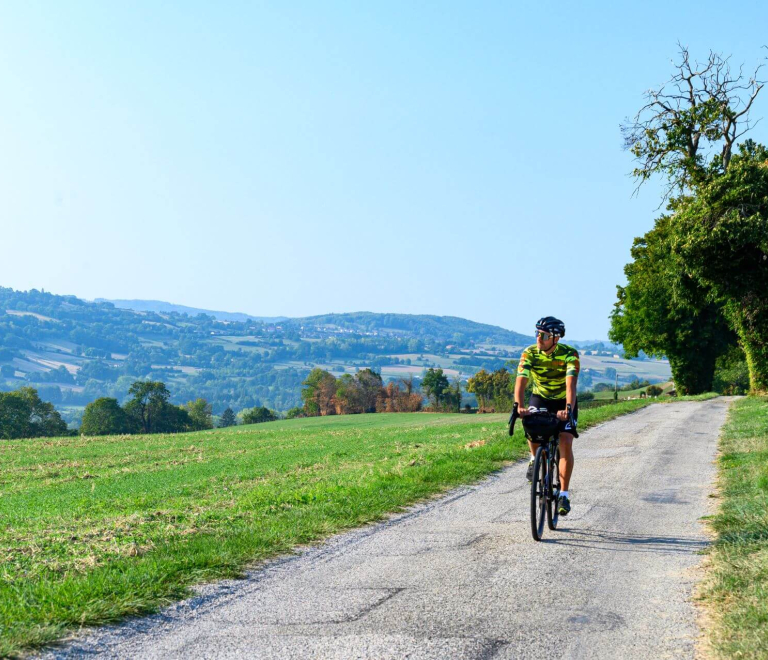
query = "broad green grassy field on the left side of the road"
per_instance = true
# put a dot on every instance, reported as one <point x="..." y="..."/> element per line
<point x="95" y="529"/>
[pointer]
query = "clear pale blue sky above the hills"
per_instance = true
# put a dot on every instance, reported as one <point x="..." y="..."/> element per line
<point x="297" y="158"/>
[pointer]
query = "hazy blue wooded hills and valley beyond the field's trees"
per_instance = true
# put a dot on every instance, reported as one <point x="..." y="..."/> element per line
<point x="74" y="351"/>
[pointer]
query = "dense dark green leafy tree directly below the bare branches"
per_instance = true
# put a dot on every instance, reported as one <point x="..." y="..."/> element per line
<point x="663" y="312"/>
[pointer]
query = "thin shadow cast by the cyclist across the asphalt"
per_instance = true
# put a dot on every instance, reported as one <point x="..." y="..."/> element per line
<point x="599" y="539"/>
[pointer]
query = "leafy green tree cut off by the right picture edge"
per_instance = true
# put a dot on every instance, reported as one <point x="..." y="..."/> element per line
<point x="721" y="238"/>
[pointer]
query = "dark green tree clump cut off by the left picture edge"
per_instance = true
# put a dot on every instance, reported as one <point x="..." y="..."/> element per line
<point x="24" y="415"/>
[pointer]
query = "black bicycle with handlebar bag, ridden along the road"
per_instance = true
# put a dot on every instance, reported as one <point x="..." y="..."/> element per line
<point x="541" y="427"/>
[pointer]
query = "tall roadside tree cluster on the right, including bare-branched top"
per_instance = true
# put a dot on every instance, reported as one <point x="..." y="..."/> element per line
<point x="697" y="286"/>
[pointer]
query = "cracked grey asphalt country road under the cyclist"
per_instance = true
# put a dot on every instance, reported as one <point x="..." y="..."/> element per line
<point x="460" y="577"/>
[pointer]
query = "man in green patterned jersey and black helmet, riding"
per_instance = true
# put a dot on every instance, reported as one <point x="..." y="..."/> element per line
<point x="554" y="368"/>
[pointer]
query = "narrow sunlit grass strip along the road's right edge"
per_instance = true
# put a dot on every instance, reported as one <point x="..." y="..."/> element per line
<point x="736" y="588"/>
